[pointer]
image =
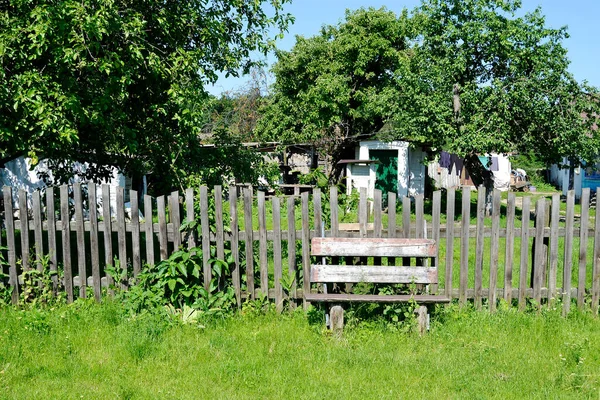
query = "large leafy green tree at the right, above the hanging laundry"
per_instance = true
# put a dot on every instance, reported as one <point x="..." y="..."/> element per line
<point x="483" y="79"/>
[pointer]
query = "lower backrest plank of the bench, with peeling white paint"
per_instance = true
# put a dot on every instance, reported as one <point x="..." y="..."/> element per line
<point x="372" y="274"/>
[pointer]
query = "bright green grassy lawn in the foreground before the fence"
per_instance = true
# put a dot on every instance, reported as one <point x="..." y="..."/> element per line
<point x="94" y="352"/>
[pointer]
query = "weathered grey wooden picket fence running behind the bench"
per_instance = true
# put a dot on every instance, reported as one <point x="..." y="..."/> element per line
<point x="481" y="258"/>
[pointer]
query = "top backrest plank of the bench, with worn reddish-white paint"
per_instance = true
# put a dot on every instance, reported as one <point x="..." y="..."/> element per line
<point x="372" y="247"/>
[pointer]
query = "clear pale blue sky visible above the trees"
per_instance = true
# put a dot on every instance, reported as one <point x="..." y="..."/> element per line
<point x="580" y="16"/>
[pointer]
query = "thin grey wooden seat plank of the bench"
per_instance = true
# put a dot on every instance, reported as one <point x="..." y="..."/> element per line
<point x="366" y="298"/>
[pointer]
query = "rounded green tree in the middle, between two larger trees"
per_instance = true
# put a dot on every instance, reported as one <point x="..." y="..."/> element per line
<point x="338" y="86"/>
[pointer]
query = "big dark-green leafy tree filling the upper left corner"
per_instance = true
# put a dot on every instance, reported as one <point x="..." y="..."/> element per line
<point x="120" y="83"/>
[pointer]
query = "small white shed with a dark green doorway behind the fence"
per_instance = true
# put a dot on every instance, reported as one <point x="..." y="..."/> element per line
<point x="387" y="166"/>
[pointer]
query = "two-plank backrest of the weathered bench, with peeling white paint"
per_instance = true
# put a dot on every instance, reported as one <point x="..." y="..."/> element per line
<point x="373" y="247"/>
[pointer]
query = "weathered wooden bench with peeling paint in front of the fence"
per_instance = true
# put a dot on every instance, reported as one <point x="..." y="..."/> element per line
<point x="374" y="247"/>
